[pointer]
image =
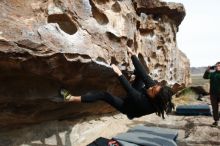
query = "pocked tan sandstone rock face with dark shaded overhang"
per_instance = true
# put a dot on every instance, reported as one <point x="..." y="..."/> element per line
<point x="48" y="44"/>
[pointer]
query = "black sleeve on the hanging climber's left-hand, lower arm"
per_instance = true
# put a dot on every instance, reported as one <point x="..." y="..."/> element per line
<point x="127" y="86"/>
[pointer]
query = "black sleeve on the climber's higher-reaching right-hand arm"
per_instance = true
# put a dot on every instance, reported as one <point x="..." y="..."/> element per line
<point x="141" y="72"/>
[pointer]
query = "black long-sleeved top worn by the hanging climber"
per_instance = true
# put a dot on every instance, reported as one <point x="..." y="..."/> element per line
<point x="137" y="102"/>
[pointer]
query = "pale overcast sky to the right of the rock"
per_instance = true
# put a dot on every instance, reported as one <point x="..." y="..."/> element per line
<point x="199" y="33"/>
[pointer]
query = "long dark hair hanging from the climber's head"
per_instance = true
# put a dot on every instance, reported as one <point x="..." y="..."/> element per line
<point x="163" y="101"/>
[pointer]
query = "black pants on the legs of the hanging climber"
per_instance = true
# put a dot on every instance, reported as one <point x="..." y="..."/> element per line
<point x="114" y="101"/>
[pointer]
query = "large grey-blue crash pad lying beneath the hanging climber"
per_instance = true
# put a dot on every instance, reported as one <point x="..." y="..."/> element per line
<point x="148" y="136"/>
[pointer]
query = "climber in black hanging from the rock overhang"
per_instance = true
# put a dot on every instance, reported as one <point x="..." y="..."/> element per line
<point x="144" y="96"/>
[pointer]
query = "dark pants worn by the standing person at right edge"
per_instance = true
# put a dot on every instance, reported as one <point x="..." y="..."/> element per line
<point x="214" y="101"/>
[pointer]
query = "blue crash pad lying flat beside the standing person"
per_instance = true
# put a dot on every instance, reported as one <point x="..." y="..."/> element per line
<point x="193" y="110"/>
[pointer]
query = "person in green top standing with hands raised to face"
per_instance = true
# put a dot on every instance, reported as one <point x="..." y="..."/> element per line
<point x="214" y="77"/>
